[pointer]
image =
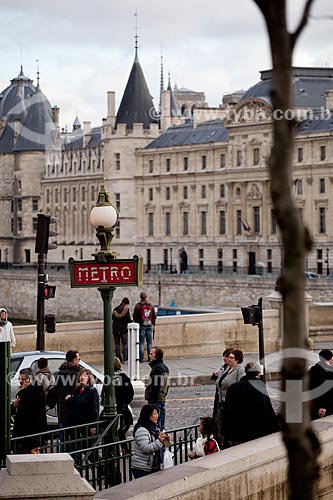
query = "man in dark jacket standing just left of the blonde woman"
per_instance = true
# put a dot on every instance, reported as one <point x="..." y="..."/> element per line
<point x="65" y="380"/>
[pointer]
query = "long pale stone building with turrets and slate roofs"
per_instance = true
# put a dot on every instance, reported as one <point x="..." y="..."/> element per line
<point x="195" y="182"/>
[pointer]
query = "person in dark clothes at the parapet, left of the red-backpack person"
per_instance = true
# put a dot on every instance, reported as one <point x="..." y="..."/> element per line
<point x="121" y="317"/>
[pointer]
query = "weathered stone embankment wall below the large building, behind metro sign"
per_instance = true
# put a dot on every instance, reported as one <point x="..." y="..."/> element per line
<point x="19" y="289"/>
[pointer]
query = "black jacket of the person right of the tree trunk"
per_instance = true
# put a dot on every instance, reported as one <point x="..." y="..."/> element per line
<point x="319" y="374"/>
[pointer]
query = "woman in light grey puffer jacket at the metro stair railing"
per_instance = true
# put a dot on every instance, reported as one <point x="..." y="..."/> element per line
<point x="149" y="443"/>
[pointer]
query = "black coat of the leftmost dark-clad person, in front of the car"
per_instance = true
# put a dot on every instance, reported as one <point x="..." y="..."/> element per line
<point x="31" y="413"/>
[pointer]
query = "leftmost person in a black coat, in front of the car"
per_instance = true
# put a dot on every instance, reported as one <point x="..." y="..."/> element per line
<point x="29" y="406"/>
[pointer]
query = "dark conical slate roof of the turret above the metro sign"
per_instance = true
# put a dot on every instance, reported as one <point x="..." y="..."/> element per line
<point x="137" y="104"/>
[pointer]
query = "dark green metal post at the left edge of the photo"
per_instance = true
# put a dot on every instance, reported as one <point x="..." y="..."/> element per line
<point x="4" y="400"/>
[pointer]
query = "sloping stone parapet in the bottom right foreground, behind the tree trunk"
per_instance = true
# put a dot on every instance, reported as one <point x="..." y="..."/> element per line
<point x="251" y="471"/>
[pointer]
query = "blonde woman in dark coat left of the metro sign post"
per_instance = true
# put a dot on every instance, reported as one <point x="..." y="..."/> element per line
<point x="84" y="401"/>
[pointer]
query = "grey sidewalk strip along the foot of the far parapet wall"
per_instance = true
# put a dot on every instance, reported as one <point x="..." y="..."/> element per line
<point x="197" y="370"/>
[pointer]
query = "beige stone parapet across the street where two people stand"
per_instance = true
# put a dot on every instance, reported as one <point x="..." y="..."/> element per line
<point x="194" y="335"/>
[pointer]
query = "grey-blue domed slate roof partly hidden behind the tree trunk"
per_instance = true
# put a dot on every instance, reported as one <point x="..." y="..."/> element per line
<point x="309" y="86"/>
